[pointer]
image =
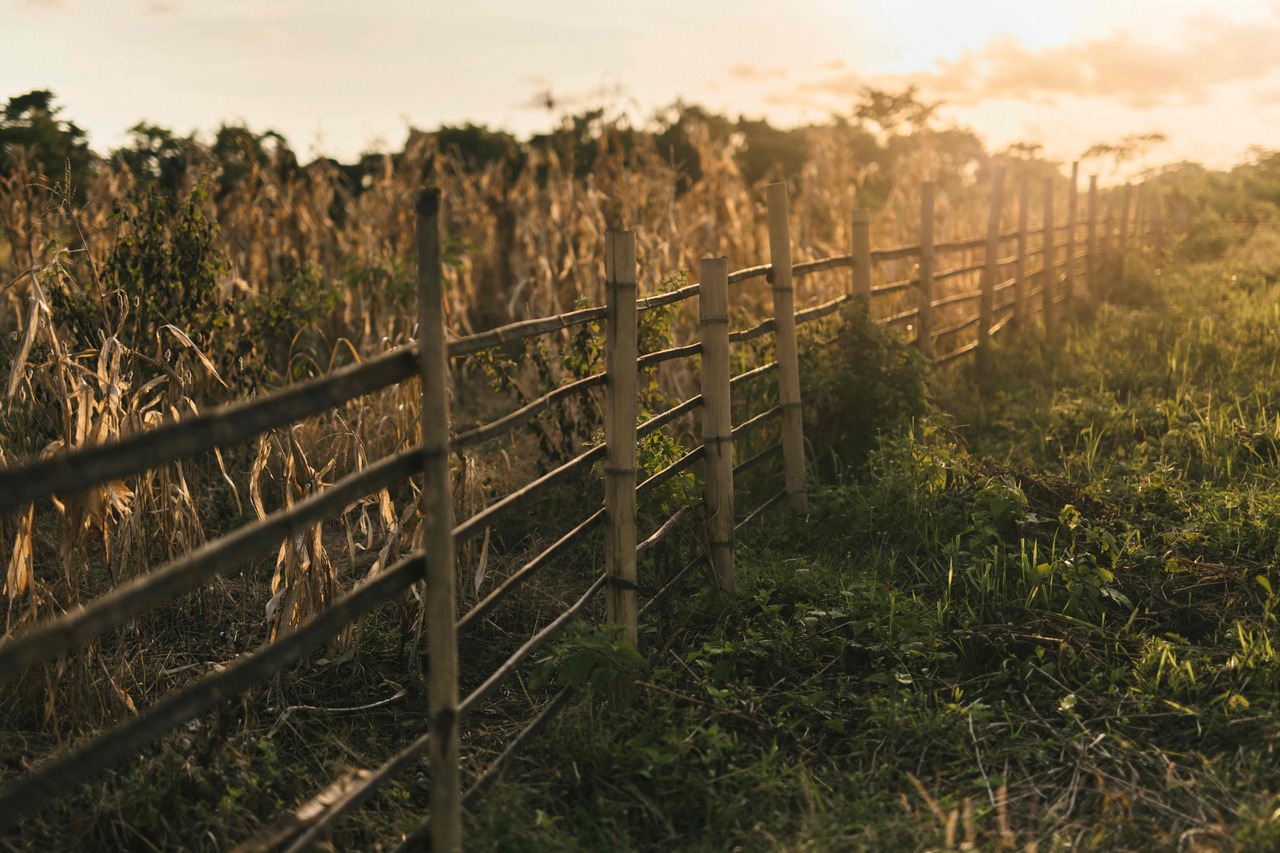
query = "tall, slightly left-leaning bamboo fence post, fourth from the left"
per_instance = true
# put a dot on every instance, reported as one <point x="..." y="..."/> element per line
<point x="789" y="357"/>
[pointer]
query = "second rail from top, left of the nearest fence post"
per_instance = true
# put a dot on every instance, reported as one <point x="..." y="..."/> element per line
<point x="135" y="597"/>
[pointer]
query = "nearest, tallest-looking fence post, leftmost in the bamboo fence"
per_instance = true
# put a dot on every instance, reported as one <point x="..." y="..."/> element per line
<point x="436" y="504"/>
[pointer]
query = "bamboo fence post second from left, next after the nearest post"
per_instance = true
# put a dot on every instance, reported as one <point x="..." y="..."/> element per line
<point x="620" y="431"/>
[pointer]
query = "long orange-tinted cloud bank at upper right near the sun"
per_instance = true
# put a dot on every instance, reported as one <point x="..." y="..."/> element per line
<point x="1212" y="54"/>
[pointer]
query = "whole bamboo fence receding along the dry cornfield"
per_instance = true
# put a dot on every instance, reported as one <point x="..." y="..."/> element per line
<point x="1007" y="293"/>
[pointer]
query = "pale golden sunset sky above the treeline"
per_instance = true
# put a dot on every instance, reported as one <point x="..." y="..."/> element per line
<point x="344" y="77"/>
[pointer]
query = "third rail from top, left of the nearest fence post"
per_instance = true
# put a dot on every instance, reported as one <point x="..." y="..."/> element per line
<point x="66" y="773"/>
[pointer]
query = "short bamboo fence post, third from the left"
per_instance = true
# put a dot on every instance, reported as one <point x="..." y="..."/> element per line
<point x="717" y="418"/>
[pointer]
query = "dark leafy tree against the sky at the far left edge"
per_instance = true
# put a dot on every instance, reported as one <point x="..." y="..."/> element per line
<point x="31" y="129"/>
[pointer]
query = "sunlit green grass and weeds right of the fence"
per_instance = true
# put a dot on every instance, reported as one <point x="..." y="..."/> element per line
<point x="1043" y="614"/>
